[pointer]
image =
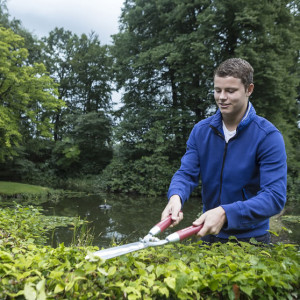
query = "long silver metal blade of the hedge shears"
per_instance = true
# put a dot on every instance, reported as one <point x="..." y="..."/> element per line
<point x="120" y="250"/>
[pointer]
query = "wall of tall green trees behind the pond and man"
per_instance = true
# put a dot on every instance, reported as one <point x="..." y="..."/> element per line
<point x="58" y="127"/>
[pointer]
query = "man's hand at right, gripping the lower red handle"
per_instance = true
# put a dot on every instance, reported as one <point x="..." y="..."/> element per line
<point x="212" y="220"/>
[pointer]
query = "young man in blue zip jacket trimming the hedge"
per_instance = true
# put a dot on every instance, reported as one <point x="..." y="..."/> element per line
<point x="241" y="160"/>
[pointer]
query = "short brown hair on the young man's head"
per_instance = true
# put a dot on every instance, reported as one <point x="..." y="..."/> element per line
<point x="238" y="68"/>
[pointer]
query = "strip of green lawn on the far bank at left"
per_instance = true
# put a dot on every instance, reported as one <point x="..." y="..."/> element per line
<point x="12" y="188"/>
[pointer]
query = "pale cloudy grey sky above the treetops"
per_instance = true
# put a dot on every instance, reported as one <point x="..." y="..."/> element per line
<point x="78" y="16"/>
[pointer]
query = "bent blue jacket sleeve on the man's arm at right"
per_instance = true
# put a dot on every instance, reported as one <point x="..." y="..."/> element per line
<point x="270" y="200"/>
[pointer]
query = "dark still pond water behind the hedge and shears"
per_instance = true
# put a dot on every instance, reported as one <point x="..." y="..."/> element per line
<point x="125" y="219"/>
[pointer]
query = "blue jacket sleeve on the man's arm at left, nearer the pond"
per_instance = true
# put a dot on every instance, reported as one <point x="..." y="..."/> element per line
<point x="187" y="177"/>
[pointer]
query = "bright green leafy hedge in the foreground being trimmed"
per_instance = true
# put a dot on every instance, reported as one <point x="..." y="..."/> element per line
<point x="177" y="271"/>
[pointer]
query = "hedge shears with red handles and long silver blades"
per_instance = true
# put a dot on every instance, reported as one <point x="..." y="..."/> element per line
<point x="150" y="240"/>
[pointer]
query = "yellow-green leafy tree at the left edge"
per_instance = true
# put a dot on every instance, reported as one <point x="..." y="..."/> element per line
<point x="27" y="95"/>
